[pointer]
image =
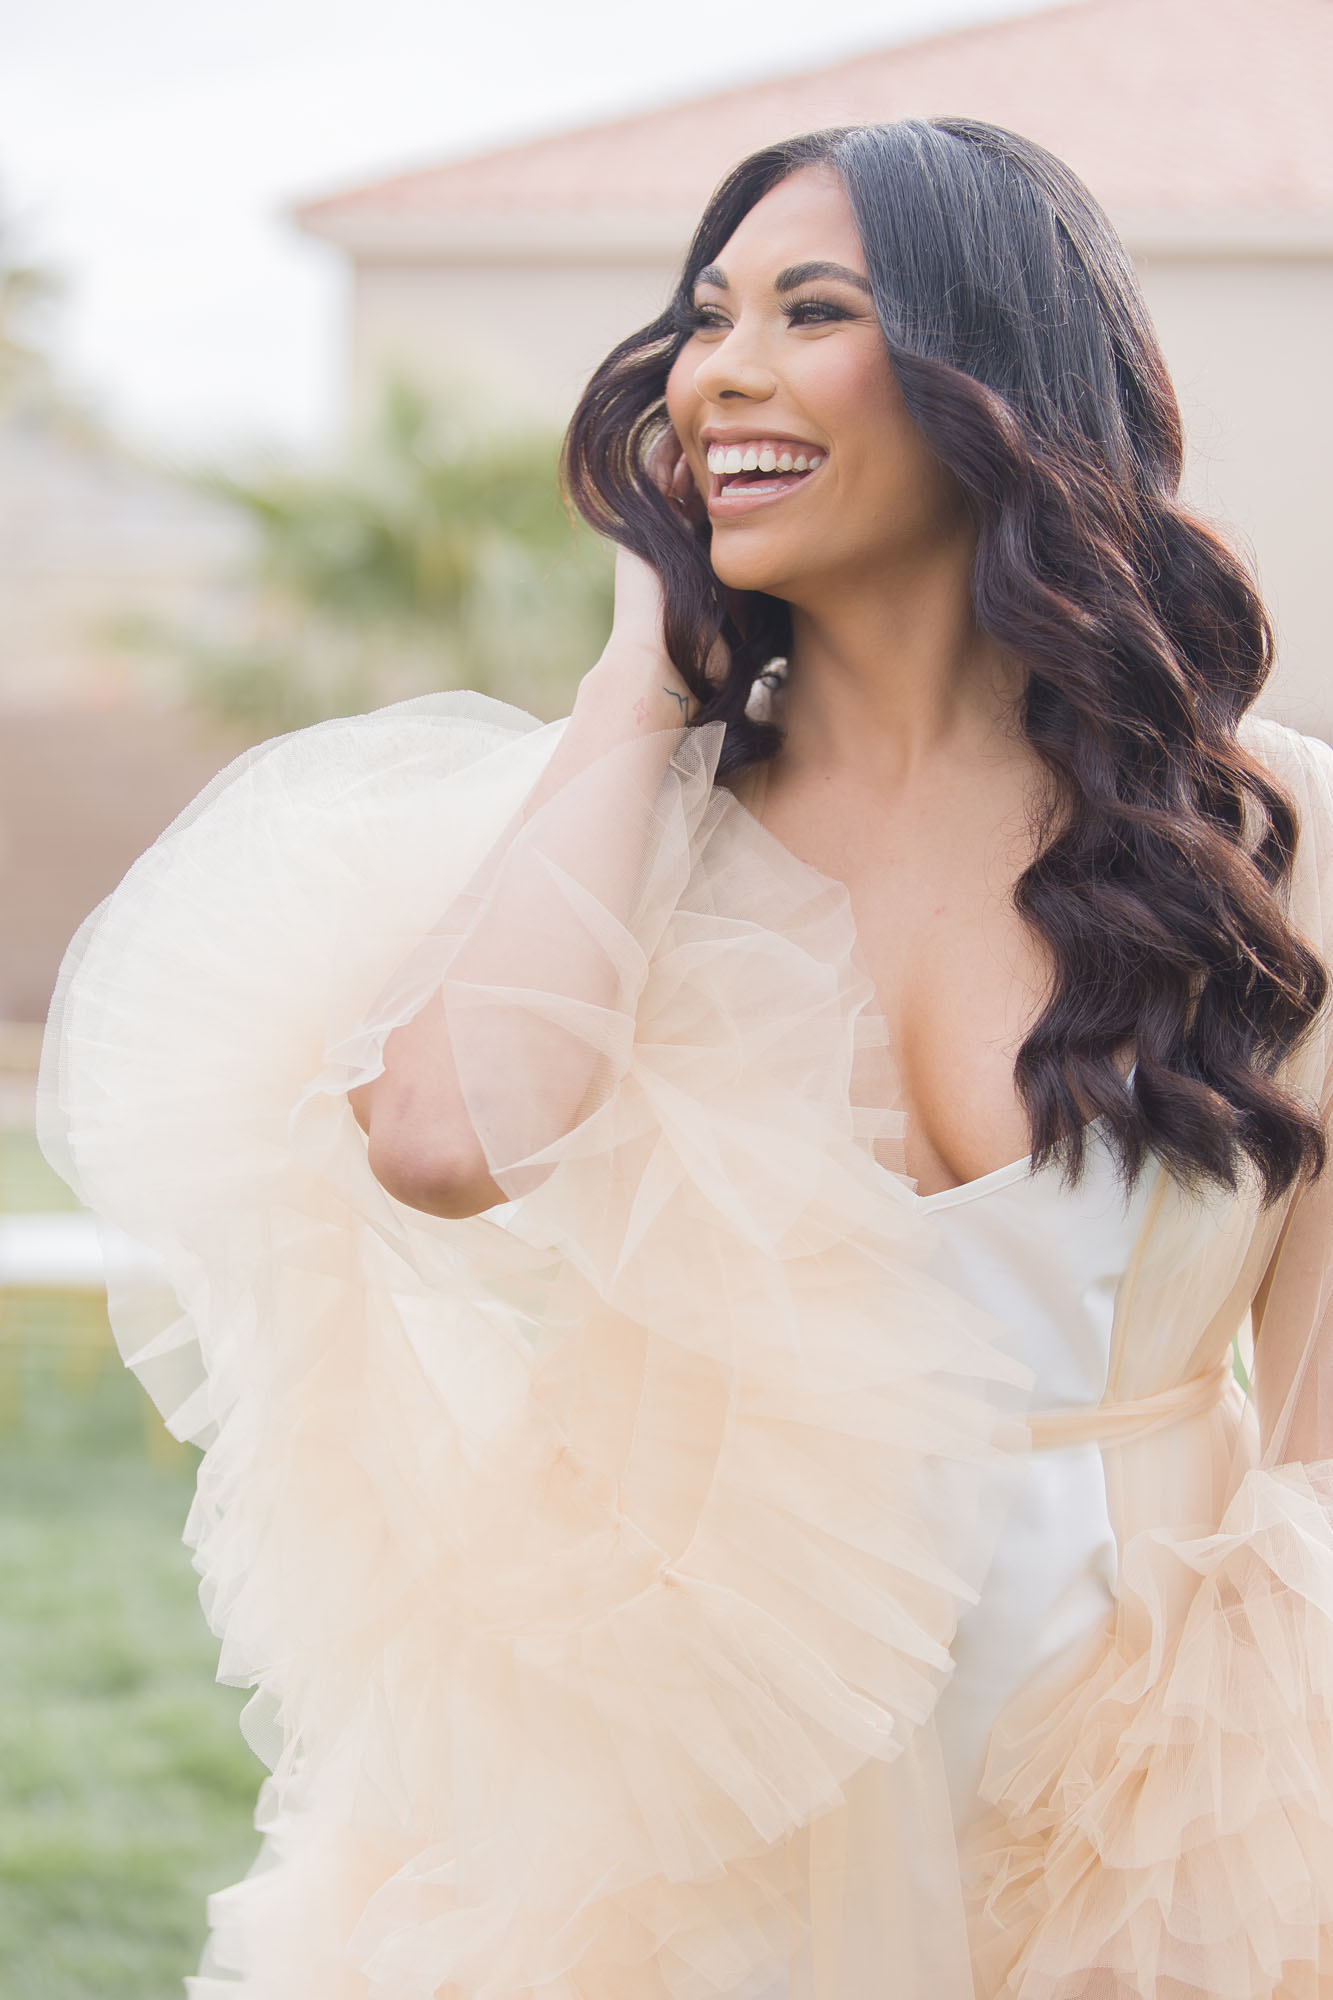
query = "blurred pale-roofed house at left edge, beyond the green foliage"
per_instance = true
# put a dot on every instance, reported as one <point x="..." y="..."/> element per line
<point x="91" y="765"/>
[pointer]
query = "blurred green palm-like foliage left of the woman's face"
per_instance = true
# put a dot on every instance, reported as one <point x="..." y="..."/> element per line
<point x="439" y="555"/>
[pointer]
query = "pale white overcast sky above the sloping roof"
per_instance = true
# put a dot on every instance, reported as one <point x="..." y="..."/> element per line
<point x="151" y="147"/>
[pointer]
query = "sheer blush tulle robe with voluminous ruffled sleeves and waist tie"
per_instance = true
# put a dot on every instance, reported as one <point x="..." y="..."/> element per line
<point x="595" y="1561"/>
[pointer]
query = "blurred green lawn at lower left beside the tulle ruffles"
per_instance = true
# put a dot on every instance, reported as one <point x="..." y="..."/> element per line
<point x="127" y="1791"/>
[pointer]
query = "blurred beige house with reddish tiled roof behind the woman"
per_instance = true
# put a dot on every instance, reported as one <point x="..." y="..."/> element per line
<point x="1204" y="127"/>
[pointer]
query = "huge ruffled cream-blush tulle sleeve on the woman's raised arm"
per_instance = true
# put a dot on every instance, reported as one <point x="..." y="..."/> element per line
<point x="581" y="1553"/>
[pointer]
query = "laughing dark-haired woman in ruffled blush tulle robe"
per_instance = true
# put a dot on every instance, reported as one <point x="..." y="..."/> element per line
<point x="706" y="1241"/>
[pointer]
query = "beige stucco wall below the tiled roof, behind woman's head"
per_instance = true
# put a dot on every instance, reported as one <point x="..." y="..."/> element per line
<point x="1246" y="337"/>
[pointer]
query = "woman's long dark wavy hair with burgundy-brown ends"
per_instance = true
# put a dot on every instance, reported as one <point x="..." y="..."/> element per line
<point x="1024" y="353"/>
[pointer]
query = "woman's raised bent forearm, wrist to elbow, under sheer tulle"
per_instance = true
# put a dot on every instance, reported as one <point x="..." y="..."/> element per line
<point x="499" y="1063"/>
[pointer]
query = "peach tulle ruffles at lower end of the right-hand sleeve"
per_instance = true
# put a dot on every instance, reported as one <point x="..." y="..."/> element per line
<point x="1168" y="1827"/>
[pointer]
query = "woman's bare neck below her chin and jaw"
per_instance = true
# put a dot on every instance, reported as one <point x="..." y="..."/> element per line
<point x="890" y="675"/>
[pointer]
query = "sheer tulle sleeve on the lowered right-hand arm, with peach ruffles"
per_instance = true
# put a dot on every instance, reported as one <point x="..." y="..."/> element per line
<point x="1164" y="1823"/>
